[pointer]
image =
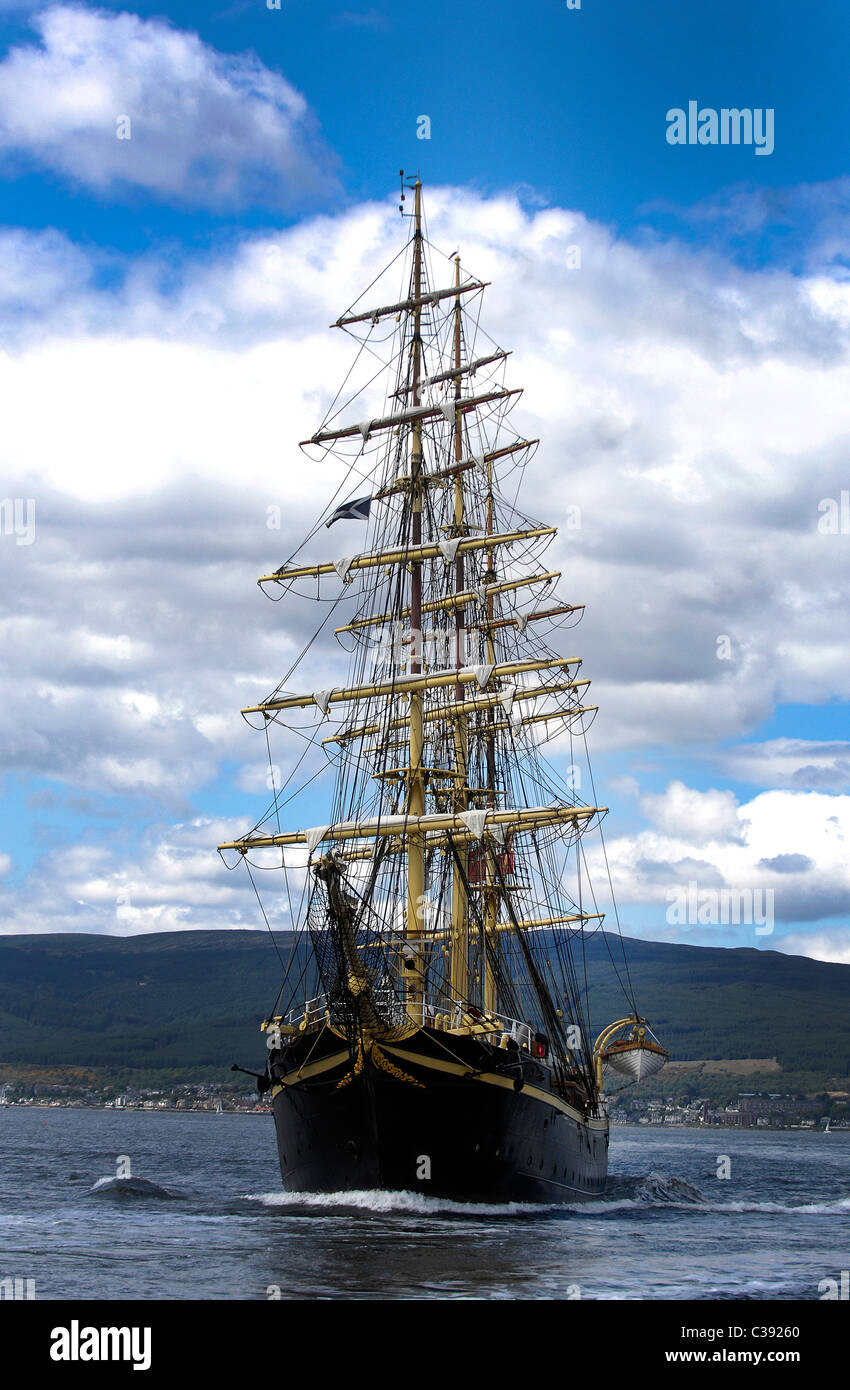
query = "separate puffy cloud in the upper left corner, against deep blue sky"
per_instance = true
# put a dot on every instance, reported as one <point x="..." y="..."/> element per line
<point x="206" y="129"/>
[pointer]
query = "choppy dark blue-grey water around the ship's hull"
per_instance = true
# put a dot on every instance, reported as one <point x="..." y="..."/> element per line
<point x="202" y="1217"/>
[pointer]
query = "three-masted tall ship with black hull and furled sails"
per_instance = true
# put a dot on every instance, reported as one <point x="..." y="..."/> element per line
<point x="434" y="1031"/>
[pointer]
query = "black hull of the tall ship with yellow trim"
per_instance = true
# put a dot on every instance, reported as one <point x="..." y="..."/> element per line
<point x="444" y="1118"/>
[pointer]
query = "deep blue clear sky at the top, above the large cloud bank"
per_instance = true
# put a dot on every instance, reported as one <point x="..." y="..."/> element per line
<point x="569" y="104"/>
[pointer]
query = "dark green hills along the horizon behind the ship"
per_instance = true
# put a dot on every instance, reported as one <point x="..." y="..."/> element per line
<point x="192" y="1000"/>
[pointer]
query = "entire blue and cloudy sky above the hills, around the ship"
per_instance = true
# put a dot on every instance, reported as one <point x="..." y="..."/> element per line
<point x="141" y="272"/>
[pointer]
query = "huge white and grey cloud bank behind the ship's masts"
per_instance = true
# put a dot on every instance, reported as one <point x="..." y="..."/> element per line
<point x="692" y="412"/>
